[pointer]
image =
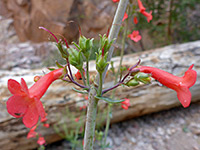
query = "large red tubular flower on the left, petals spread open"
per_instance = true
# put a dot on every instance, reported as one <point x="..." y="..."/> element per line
<point x="26" y="102"/>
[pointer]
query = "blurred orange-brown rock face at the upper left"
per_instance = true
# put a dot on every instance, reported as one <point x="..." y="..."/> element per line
<point x="61" y="17"/>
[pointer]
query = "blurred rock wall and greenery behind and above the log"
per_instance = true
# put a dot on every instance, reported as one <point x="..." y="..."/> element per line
<point x="174" y="21"/>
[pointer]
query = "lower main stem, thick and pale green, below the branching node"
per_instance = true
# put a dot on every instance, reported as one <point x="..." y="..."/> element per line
<point x="90" y="120"/>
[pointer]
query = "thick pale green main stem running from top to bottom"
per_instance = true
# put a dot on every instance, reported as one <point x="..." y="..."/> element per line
<point x="92" y="105"/>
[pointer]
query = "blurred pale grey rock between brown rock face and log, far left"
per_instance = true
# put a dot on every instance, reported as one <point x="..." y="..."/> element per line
<point x="26" y="55"/>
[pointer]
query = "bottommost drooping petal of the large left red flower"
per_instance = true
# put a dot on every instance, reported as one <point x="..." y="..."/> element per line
<point x="31" y="116"/>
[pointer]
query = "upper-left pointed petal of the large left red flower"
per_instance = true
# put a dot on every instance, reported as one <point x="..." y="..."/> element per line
<point x="14" y="87"/>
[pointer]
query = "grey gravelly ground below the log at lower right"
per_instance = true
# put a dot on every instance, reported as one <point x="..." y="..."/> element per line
<point x="174" y="129"/>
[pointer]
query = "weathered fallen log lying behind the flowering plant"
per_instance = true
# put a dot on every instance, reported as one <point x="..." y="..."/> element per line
<point x="144" y="99"/>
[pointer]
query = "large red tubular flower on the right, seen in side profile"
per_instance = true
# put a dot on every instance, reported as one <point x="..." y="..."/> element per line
<point x="180" y="84"/>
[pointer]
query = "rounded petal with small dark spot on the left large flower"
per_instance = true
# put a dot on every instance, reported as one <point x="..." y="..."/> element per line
<point x="17" y="106"/>
